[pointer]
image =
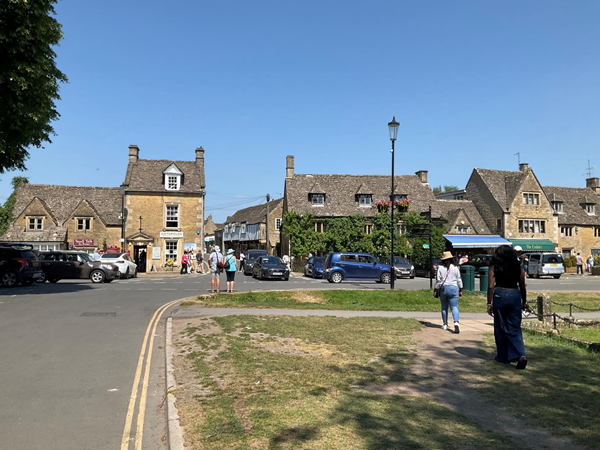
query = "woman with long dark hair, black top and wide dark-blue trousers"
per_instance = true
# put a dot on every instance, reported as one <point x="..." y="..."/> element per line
<point x="506" y="299"/>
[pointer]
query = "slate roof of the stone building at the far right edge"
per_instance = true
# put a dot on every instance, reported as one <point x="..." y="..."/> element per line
<point x="572" y="198"/>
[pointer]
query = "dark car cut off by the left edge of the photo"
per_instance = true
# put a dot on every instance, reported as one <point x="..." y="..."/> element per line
<point x="18" y="264"/>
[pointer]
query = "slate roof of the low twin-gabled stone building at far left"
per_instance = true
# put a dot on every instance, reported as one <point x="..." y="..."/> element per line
<point x="61" y="201"/>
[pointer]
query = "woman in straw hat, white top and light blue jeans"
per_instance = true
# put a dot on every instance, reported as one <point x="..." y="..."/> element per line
<point x="448" y="285"/>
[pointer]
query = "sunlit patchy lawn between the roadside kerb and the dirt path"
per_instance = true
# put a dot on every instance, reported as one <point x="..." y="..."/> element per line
<point x="291" y="383"/>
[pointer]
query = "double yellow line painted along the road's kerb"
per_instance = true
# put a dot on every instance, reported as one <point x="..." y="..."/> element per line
<point x="139" y="430"/>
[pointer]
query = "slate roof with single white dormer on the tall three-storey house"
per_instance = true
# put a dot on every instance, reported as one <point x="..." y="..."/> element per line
<point x="147" y="175"/>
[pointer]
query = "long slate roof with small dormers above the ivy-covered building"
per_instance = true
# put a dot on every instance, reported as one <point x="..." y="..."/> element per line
<point x="340" y="193"/>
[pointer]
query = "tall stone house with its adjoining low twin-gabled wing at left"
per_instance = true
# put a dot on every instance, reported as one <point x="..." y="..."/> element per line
<point x="156" y="213"/>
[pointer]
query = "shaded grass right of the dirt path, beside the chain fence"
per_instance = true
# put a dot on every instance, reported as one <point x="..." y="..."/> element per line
<point x="559" y="390"/>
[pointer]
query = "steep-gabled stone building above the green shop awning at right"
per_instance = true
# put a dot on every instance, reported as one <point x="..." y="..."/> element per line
<point x="515" y="206"/>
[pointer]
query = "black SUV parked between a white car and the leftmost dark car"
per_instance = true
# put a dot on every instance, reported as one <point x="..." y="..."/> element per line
<point x="73" y="265"/>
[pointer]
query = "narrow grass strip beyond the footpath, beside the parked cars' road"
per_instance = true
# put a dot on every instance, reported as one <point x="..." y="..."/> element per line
<point x="383" y="300"/>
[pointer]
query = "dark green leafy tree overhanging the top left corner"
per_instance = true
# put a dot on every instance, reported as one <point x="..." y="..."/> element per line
<point x="29" y="78"/>
